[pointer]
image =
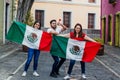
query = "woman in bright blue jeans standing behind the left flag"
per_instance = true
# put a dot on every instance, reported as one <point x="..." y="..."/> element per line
<point x="32" y="52"/>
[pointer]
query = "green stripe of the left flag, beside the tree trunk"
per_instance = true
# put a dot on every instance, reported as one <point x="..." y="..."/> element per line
<point x="16" y="32"/>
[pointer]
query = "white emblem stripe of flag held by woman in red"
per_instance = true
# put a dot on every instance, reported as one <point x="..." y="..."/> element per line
<point x="73" y="54"/>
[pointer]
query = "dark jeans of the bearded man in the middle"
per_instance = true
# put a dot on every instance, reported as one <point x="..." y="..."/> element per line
<point x="57" y="63"/>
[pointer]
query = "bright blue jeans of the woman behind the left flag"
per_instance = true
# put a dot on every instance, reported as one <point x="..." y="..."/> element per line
<point x="36" y="54"/>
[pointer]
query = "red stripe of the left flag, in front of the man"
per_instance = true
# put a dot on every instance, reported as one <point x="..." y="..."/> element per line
<point x="45" y="42"/>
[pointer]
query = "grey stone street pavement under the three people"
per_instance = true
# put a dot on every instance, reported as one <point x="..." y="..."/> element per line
<point x="104" y="67"/>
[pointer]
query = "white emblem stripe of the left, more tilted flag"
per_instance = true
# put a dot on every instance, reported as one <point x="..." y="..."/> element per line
<point x="32" y="42"/>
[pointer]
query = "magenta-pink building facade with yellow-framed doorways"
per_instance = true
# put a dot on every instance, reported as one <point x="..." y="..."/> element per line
<point x="110" y="22"/>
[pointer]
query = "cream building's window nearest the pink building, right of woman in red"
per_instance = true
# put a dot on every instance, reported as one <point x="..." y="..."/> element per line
<point x="91" y="20"/>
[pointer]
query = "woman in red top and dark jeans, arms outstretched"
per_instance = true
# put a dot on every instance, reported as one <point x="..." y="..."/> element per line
<point x="78" y="35"/>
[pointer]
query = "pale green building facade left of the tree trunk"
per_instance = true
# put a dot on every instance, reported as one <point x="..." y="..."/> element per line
<point x="6" y="17"/>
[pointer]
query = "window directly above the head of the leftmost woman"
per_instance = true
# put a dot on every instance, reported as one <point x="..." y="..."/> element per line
<point x="39" y="16"/>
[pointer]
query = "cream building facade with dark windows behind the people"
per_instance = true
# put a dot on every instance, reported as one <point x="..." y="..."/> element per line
<point x="86" y="12"/>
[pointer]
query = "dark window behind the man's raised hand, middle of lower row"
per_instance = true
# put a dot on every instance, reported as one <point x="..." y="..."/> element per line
<point x="66" y="18"/>
